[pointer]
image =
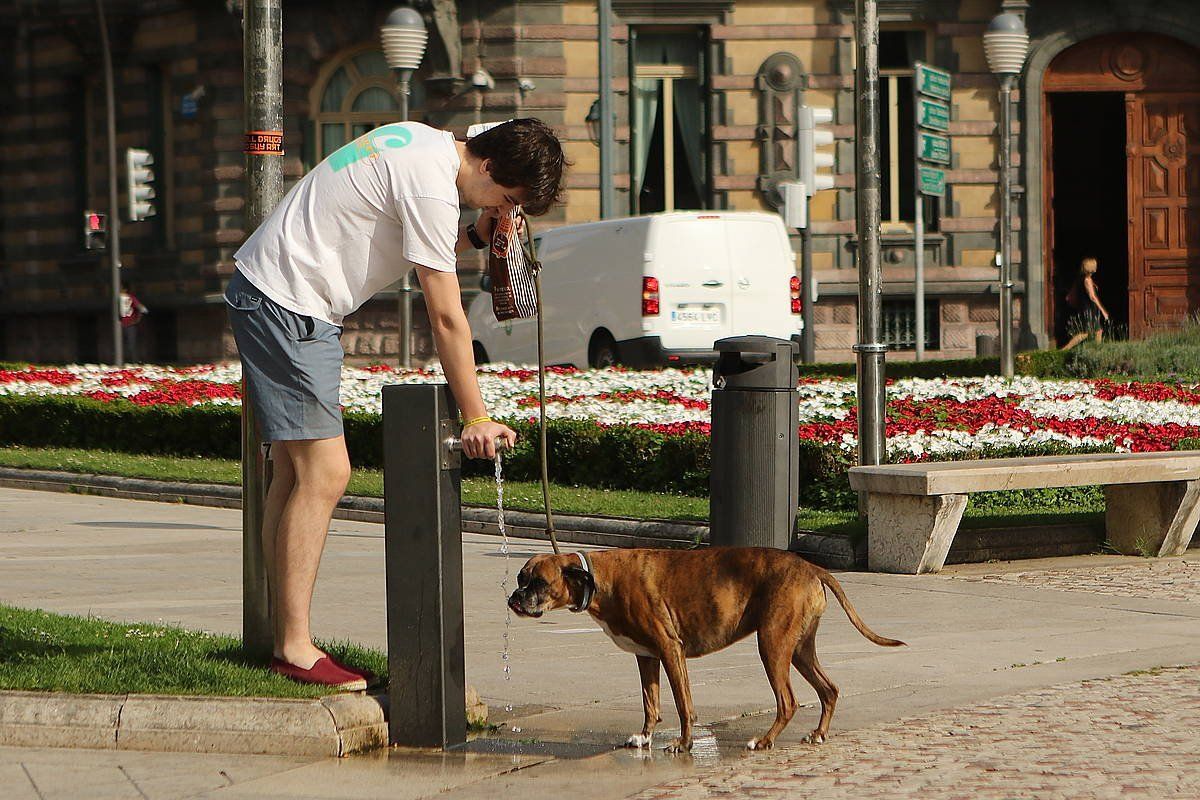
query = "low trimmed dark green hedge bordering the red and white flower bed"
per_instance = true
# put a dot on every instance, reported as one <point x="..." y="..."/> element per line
<point x="581" y="453"/>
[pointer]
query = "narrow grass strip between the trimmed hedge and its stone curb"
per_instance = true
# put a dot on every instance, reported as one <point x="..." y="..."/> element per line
<point x="985" y="512"/>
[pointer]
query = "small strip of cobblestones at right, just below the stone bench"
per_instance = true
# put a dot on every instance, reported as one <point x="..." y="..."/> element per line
<point x="1174" y="580"/>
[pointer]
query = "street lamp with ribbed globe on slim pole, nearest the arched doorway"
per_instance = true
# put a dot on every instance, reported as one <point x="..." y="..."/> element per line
<point x="1006" y="45"/>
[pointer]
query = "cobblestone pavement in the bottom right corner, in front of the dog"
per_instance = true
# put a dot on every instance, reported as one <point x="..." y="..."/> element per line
<point x="1131" y="737"/>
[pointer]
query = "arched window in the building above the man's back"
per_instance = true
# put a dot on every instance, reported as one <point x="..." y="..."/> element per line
<point x="355" y="94"/>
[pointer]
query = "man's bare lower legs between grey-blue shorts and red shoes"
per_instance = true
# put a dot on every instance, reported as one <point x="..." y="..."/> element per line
<point x="311" y="477"/>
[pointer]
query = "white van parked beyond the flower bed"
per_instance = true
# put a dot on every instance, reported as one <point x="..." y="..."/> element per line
<point x="652" y="291"/>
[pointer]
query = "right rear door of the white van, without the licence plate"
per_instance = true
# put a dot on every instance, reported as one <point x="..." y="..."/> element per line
<point x="763" y="266"/>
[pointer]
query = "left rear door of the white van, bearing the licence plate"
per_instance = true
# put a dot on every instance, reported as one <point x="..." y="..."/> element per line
<point x="693" y="267"/>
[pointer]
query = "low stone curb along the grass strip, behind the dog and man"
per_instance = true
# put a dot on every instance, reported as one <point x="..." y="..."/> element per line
<point x="831" y="552"/>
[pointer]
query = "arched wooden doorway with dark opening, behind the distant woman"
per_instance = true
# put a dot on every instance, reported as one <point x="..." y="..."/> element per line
<point x="1123" y="178"/>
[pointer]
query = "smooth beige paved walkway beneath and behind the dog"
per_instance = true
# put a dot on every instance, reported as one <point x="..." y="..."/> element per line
<point x="977" y="635"/>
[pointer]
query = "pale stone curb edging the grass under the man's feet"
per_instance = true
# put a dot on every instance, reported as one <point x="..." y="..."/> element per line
<point x="335" y="726"/>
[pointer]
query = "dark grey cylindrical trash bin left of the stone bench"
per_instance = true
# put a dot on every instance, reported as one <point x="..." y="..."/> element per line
<point x="754" y="486"/>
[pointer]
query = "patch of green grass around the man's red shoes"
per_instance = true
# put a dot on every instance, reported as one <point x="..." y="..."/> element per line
<point x="56" y="653"/>
